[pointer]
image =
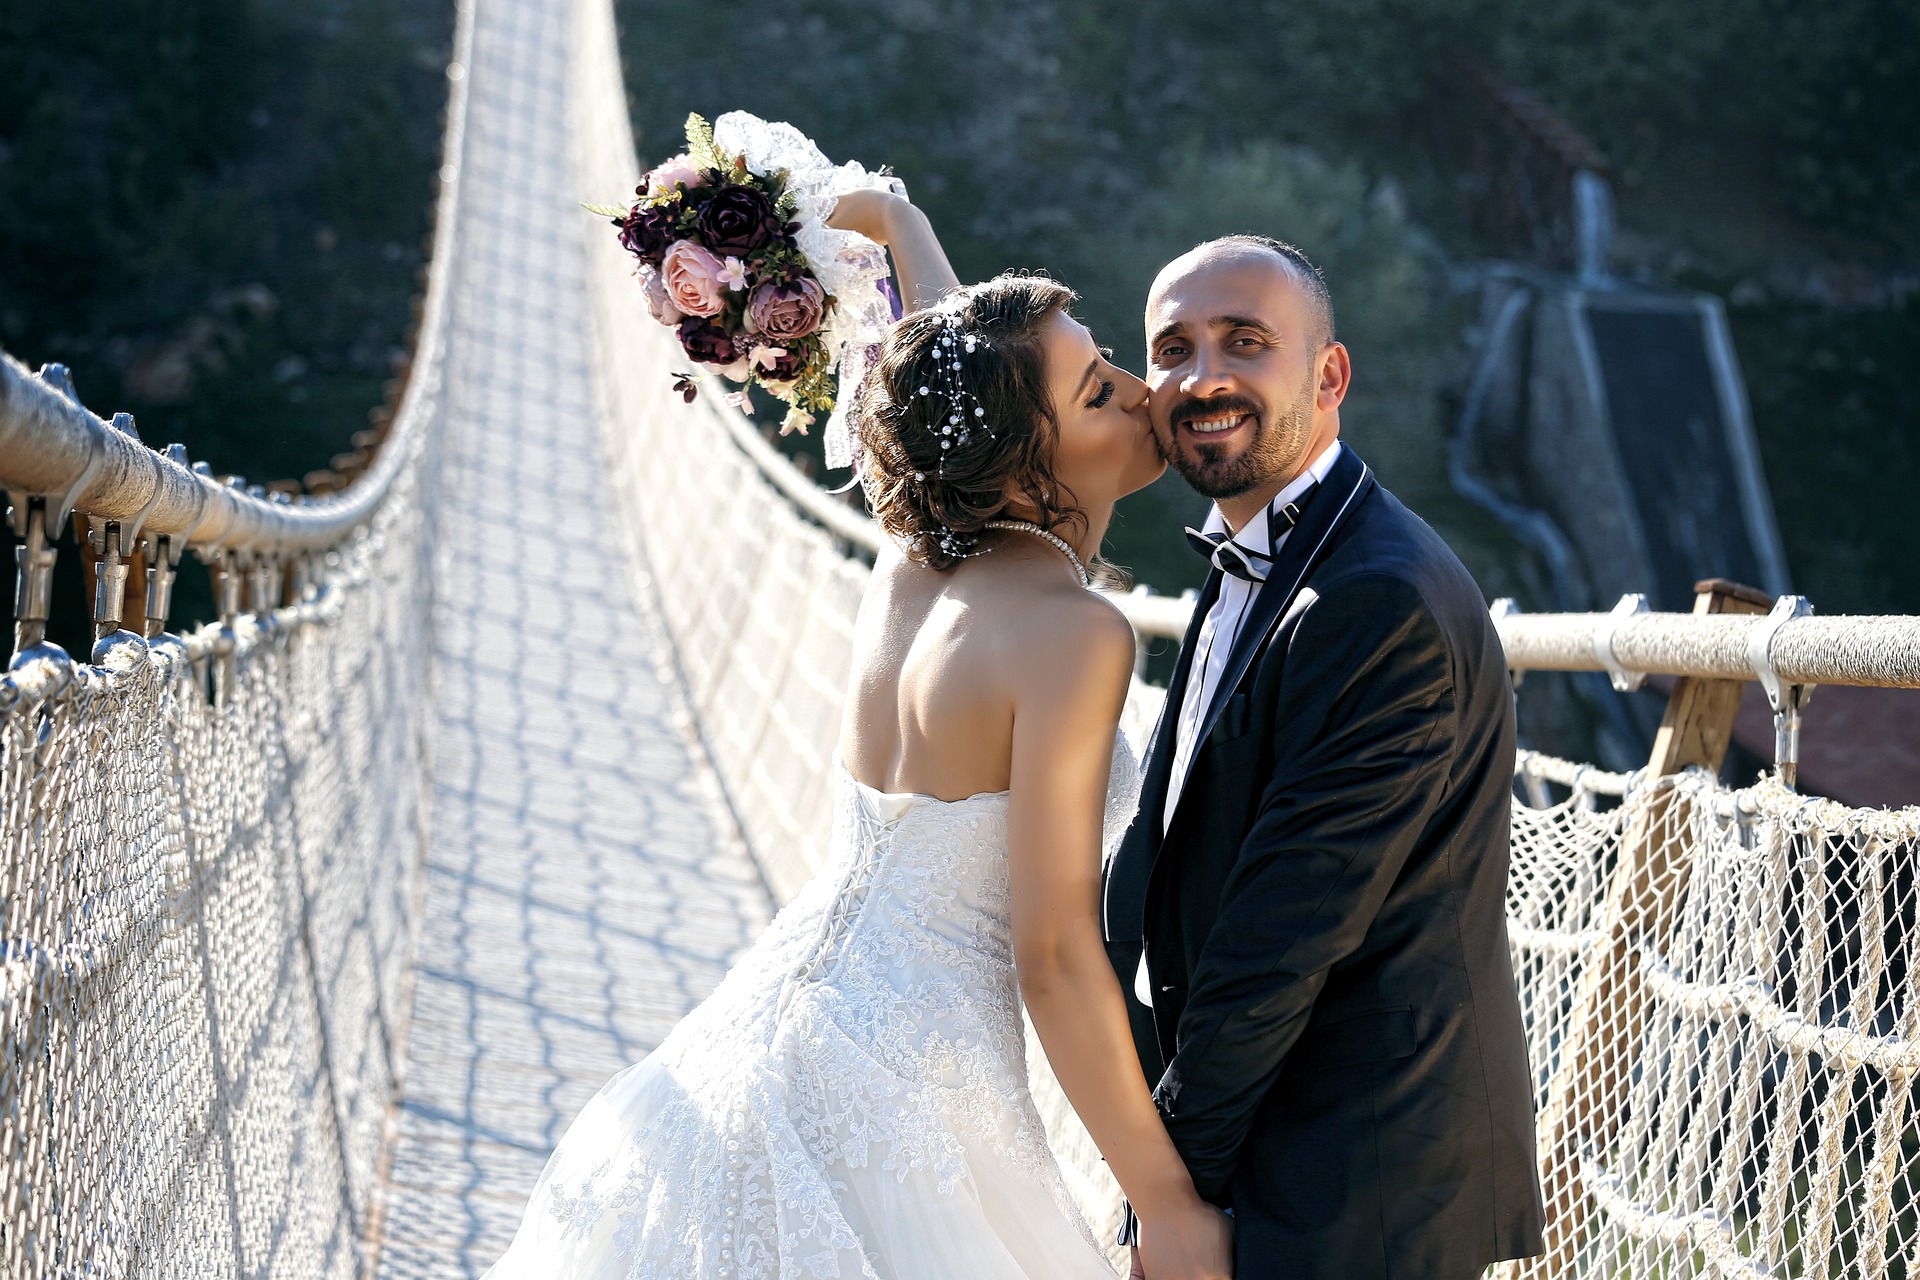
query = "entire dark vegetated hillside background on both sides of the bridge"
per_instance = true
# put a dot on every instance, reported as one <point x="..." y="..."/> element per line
<point x="212" y="210"/>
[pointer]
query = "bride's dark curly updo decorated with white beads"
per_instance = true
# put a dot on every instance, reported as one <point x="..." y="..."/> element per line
<point x="938" y="502"/>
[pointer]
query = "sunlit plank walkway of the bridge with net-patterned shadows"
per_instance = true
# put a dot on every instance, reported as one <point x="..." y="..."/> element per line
<point x="585" y="886"/>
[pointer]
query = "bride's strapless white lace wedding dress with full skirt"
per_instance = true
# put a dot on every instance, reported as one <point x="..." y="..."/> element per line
<point x="852" y="1101"/>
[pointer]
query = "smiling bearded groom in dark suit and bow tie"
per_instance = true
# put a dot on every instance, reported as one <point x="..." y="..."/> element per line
<point x="1308" y="911"/>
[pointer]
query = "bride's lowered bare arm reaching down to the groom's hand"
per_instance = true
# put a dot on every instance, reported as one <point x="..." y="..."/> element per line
<point x="1068" y="699"/>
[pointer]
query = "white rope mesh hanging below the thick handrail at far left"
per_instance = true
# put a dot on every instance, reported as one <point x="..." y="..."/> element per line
<point x="204" y="924"/>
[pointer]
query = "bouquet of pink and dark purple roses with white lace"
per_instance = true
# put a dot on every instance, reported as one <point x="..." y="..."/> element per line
<point x="738" y="258"/>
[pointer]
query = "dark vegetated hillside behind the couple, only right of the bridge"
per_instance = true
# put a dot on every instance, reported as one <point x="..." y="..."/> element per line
<point x="1760" y="149"/>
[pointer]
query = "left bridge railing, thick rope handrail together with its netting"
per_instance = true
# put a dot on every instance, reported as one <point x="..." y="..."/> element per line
<point x="210" y="849"/>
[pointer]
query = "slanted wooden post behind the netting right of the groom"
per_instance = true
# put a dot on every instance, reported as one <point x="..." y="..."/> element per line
<point x="1587" y="1097"/>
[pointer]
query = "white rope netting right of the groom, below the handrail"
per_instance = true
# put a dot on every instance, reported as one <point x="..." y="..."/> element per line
<point x="1723" y="1018"/>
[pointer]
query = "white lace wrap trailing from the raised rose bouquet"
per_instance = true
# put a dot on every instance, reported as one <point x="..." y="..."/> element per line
<point x="850" y="268"/>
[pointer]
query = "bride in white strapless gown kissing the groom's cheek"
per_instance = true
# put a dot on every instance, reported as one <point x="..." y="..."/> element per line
<point x="853" y="1099"/>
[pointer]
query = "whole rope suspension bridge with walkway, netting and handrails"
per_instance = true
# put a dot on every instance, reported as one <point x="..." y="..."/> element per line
<point x="322" y="922"/>
